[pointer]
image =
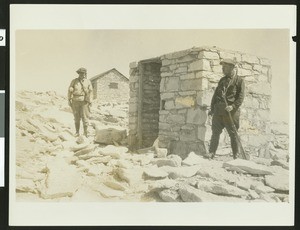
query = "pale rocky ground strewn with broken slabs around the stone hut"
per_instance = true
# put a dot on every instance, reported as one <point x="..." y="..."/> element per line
<point x="53" y="165"/>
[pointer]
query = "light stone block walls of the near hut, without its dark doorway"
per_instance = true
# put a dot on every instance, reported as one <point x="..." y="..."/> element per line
<point x="188" y="80"/>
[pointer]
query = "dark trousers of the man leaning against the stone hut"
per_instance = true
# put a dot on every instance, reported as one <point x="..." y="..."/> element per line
<point x="221" y="121"/>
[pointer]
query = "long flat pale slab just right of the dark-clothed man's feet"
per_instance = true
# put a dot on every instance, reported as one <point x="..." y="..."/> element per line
<point x="248" y="166"/>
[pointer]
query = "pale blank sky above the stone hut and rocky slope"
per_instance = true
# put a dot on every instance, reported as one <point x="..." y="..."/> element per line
<point x="48" y="59"/>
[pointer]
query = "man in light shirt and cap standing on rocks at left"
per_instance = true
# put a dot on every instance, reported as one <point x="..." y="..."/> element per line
<point x="80" y="98"/>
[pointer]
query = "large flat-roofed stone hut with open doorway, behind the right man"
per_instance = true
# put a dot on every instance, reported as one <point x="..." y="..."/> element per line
<point x="170" y="96"/>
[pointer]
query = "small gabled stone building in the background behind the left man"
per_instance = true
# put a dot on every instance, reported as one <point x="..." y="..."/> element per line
<point x="110" y="86"/>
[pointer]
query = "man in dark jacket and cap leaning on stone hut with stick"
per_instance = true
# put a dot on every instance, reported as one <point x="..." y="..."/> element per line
<point x="232" y="87"/>
